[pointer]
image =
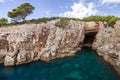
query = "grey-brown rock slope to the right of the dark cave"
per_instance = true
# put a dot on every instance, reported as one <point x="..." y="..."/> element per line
<point x="107" y="44"/>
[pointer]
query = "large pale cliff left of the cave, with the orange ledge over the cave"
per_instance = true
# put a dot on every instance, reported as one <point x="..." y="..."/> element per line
<point x="31" y="42"/>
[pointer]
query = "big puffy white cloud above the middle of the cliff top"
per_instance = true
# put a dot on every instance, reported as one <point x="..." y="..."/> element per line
<point x="79" y="10"/>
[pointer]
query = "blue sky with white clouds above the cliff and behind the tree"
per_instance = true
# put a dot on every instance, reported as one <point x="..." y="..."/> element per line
<point x="64" y="8"/>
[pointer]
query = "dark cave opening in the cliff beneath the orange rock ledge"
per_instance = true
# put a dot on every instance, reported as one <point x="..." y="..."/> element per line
<point x="89" y="38"/>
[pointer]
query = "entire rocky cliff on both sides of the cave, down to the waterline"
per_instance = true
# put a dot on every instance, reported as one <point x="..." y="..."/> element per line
<point x="32" y="42"/>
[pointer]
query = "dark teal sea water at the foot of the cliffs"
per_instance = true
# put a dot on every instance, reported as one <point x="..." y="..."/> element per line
<point x="86" y="65"/>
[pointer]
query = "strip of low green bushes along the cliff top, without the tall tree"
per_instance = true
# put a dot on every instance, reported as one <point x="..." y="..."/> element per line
<point x="63" y="21"/>
